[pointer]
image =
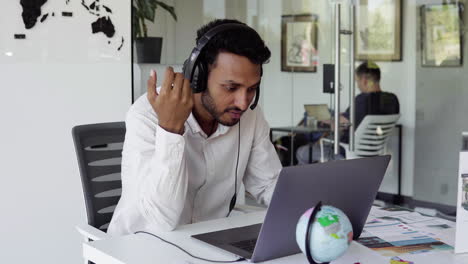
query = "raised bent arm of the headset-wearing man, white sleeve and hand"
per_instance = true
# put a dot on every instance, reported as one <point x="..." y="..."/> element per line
<point x="154" y="151"/>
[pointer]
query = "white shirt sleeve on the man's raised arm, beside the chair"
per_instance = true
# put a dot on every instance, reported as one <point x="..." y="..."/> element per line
<point x="154" y="168"/>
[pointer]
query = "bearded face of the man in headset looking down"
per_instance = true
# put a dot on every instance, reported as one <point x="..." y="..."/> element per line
<point x="232" y="84"/>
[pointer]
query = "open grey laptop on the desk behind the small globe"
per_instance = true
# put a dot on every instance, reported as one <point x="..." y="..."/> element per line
<point x="350" y="185"/>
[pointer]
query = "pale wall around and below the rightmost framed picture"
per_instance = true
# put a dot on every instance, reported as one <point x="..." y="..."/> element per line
<point x="441" y="109"/>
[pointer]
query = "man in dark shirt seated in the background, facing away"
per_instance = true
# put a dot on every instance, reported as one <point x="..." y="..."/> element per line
<point x="371" y="101"/>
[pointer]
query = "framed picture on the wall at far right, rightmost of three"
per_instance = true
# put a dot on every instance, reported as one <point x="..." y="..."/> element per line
<point x="441" y="35"/>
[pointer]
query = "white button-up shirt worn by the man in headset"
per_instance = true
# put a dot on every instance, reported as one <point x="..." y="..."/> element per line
<point x="170" y="179"/>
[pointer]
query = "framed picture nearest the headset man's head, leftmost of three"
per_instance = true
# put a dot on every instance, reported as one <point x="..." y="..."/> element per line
<point x="299" y="43"/>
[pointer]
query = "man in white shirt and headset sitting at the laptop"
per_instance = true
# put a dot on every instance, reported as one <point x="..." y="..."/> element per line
<point x="185" y="154"/>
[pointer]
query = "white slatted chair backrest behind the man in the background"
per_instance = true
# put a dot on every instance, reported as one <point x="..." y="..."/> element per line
<point x="372" y="134"/>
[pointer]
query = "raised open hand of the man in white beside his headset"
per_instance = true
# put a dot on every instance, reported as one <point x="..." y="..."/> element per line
<point x="174" y="102"/>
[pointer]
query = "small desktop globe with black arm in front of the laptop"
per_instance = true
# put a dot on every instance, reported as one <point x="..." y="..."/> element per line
<point x="323" y="233"/>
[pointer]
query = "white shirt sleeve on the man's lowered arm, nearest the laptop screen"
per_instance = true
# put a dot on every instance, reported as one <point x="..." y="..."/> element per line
<point x="264" y="166"/>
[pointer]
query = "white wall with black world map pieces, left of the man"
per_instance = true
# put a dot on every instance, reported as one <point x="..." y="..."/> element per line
<point x="59" y="77"/>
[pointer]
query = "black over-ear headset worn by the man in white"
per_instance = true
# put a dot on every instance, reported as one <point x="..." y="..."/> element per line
<point x="196" y="70"/>
